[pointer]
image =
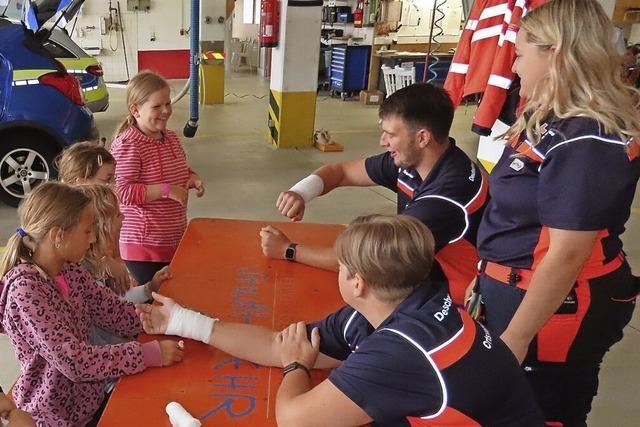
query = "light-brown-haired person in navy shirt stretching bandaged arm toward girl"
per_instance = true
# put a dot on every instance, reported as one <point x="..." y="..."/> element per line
<point x="402" y="354"/>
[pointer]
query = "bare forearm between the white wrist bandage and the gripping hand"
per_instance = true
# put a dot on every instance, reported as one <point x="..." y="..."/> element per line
<point x="253" y="343"/>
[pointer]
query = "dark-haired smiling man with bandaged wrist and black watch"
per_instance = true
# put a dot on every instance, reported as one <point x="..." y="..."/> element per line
<point x="435" y="182"/>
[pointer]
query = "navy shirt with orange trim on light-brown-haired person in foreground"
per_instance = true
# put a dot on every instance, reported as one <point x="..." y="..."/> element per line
<point x="425" y="360"/>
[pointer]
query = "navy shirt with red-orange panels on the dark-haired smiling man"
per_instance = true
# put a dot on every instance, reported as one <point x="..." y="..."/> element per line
<point x="450" y="201"/>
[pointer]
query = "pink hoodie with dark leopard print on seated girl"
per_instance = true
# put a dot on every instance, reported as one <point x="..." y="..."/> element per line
<point x="62" y="377"/>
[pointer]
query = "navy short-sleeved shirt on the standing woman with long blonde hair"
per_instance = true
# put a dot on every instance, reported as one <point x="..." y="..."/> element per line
<point x="577" y="178"/>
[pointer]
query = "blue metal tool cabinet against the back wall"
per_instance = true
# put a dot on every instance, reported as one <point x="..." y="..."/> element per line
<point x="349" y="68"/>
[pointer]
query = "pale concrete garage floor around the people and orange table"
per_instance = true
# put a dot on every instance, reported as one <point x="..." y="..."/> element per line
<point x="244" y="175"/>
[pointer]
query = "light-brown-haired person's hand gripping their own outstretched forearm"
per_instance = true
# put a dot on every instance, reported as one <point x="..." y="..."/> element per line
<point x="296" y="347"/>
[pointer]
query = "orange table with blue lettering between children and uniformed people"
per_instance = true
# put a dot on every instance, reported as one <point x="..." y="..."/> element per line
<point x="219" y="269"/>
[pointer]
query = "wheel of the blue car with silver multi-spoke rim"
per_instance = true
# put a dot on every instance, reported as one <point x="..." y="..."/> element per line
<point x="26" y="160"/>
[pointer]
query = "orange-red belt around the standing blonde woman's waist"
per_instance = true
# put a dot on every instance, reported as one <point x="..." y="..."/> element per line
<point x="520" y="277"/>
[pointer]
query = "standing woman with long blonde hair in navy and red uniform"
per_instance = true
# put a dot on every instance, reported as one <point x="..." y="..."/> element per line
<point x="553" y="276"/>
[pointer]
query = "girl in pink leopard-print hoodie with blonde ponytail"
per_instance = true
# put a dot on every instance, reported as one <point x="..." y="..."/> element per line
<point x="48" y="303"/>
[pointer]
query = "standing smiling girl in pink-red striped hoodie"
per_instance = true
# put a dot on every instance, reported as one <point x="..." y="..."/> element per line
<point x="152" y="178"/>
